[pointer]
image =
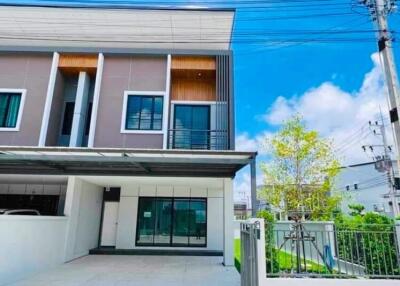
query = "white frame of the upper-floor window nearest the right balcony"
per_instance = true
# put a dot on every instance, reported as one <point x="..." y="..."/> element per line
<point x="124" y="110"/>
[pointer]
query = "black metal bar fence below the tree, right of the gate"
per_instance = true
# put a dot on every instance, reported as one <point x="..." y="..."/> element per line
<point x="332" y="251"/>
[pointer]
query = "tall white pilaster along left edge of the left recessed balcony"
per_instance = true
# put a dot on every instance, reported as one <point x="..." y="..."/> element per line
<point x="49" y="100"/>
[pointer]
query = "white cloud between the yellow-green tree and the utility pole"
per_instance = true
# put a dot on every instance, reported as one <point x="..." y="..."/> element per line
<point x="339" y="114"/>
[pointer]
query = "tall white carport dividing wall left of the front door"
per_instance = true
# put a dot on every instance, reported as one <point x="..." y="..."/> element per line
<point x="83" y="205"/>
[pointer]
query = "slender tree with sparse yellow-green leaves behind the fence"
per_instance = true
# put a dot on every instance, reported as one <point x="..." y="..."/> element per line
<point x="300" y="172"/>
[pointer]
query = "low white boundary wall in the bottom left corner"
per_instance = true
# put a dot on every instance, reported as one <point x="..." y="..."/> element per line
<point x="30" y="244"/>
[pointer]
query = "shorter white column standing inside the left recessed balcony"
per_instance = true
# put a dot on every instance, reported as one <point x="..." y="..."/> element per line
<point x="81" y="104"/>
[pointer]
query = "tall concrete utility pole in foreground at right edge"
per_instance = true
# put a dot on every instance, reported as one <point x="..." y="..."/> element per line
<point x="379" y="10"/>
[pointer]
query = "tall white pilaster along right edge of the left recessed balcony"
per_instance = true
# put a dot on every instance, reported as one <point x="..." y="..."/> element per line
<point x="96" y="97"/>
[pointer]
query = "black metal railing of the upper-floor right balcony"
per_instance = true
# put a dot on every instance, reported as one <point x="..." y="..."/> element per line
<point x="195" y="139"/>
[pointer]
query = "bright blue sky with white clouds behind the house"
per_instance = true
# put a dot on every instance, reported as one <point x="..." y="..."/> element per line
<point x="331" y="78"/>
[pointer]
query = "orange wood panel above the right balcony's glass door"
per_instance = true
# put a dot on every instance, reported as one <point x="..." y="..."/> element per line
<point x="193" y="63"/>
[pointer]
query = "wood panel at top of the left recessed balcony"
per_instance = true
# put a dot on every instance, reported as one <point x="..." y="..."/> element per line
<point x="75" y="63"/>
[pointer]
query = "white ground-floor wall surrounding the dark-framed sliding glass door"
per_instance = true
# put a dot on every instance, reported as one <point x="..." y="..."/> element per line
<point x="126" y="233"/>
